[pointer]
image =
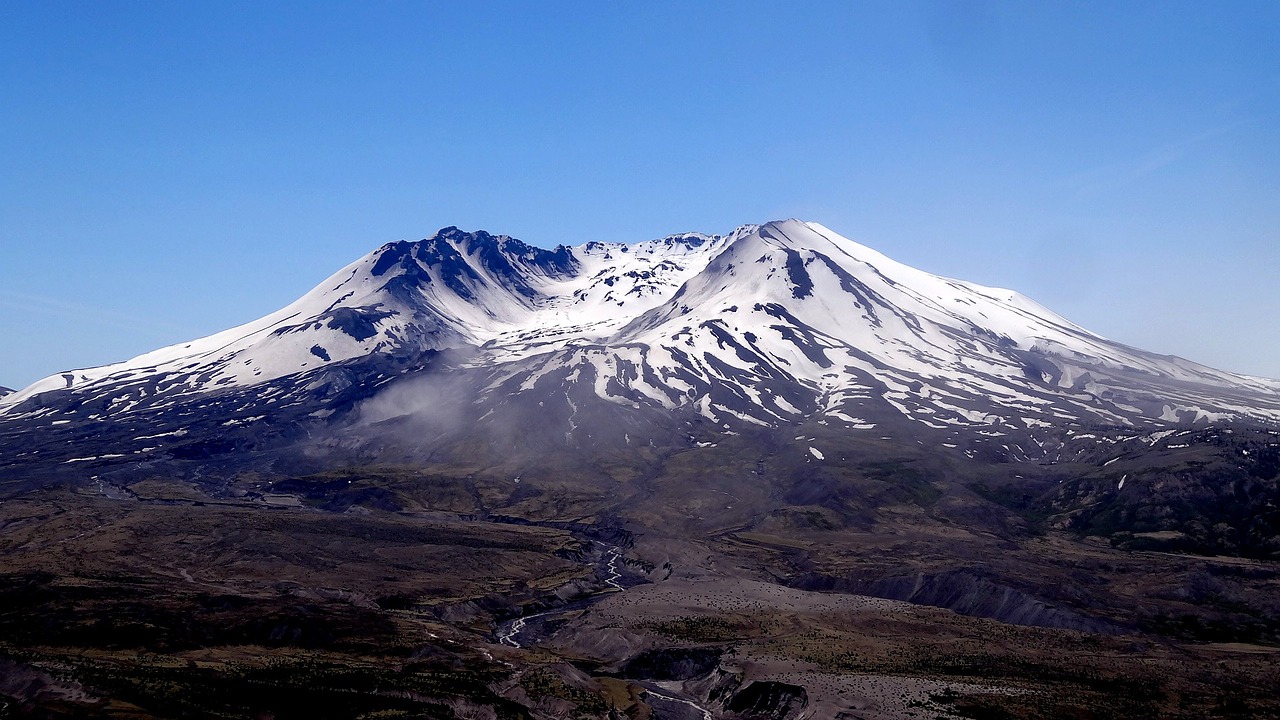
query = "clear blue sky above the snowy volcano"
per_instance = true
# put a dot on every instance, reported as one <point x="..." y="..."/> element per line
<point x="172" y="170"/>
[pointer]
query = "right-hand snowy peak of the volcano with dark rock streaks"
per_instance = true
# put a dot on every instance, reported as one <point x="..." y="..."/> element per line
<point x="799" y="321"/>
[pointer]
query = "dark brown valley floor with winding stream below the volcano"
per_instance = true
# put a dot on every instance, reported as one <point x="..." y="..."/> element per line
<point x="158" y="600"/>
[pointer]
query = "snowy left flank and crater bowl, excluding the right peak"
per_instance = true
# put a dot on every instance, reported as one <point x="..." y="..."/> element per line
<point x="454" y="290"/>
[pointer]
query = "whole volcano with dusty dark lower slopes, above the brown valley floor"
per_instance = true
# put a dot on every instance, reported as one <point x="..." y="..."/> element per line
<point x="468" y="343"/>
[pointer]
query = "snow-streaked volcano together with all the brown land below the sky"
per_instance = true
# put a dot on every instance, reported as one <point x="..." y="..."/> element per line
<point x="771" y="475"/>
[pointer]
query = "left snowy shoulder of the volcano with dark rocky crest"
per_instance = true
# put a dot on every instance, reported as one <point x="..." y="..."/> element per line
<point x="420" y="297"/>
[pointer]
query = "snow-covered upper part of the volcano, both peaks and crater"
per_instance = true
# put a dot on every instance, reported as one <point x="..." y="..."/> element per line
<point x="767" y="326"/>
